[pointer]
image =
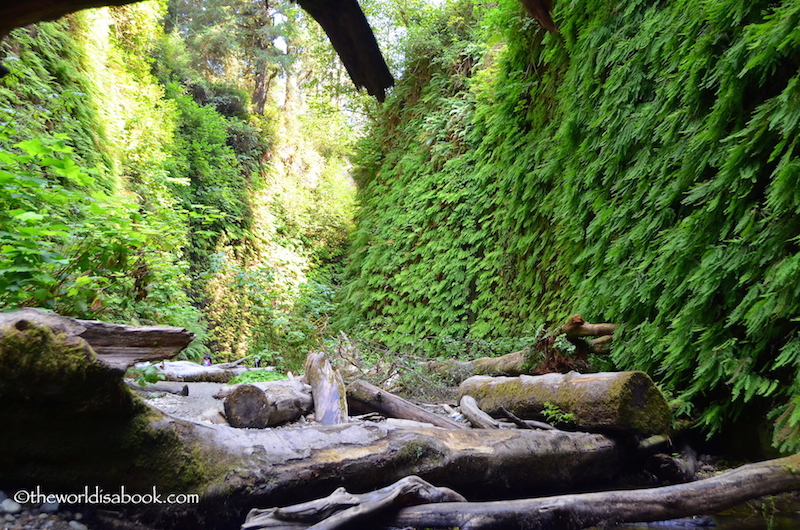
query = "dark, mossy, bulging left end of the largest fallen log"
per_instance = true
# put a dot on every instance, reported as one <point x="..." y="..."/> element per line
<point x="75" y="423"/>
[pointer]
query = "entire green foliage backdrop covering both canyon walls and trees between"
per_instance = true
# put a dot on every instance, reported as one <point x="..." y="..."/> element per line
<point x="208" y="164"/>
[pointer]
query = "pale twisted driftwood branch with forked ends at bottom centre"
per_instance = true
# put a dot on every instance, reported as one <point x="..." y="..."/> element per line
<point x="341" y="509"/>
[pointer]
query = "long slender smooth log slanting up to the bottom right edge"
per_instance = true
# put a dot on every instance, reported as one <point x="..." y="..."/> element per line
<point x="573" y="512"/>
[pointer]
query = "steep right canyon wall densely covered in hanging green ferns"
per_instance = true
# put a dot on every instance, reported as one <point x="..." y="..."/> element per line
<point x="640" y="166"/>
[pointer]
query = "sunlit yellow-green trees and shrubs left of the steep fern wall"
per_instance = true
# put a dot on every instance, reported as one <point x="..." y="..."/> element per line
<point x="141" y="182"/>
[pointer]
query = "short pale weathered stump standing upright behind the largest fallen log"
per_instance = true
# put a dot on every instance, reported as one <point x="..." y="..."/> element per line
<point x="327" y="387"/>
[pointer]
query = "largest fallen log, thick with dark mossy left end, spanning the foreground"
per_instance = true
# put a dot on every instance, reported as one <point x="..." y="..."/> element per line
<point x="69" y="420"/>
